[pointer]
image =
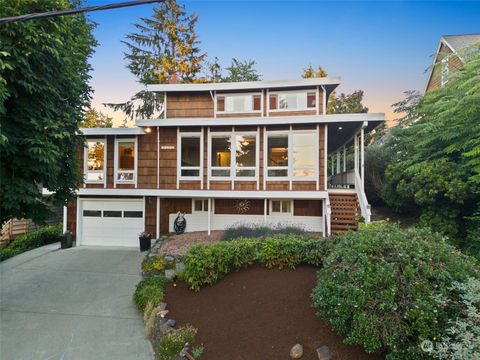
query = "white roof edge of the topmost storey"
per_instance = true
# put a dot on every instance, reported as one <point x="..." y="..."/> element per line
<point x="330" y="82"/>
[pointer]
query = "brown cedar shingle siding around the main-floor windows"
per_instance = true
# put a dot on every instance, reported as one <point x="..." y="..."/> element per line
<point x="148" y="165"/>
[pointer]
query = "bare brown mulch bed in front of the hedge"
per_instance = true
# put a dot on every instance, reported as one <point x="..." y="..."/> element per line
<point x="257" y="314"/>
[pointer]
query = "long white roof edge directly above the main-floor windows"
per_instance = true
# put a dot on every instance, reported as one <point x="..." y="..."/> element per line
<point x="267" y="120"/>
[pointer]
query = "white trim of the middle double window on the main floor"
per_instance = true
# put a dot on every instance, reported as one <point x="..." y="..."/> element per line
<point x="233" y="157"/>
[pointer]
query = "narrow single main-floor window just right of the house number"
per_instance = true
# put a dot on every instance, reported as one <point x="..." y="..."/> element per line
<point x="190" y="155"/>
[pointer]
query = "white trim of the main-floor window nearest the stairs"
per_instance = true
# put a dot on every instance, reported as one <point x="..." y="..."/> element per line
<point x="290" y="176"/>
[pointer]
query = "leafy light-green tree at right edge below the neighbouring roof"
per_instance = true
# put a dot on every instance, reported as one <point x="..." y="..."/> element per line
<point x="436" y="168"/>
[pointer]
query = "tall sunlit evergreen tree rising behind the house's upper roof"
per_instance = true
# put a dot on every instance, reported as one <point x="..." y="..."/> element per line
<point x="163" y="45"/>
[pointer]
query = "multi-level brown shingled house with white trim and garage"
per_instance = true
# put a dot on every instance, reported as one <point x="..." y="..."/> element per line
<point x="249" y="152"/>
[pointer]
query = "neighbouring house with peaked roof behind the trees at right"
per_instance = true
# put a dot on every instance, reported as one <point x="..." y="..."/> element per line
<point x="450" y="56"/>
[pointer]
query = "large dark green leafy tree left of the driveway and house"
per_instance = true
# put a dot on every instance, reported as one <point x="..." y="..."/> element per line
<point x="44" y="75"/>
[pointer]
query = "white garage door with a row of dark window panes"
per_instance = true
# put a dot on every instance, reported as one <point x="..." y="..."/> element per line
<point x="109" y="222"/>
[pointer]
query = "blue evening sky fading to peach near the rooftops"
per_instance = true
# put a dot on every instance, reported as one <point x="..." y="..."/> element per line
<point x="381" y="47"/>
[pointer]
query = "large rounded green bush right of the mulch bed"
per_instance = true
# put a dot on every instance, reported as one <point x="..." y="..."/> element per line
<point x="379" y="287"/>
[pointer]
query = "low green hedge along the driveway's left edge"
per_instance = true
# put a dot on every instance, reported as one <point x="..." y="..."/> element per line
<point x="44" y="236"/>
